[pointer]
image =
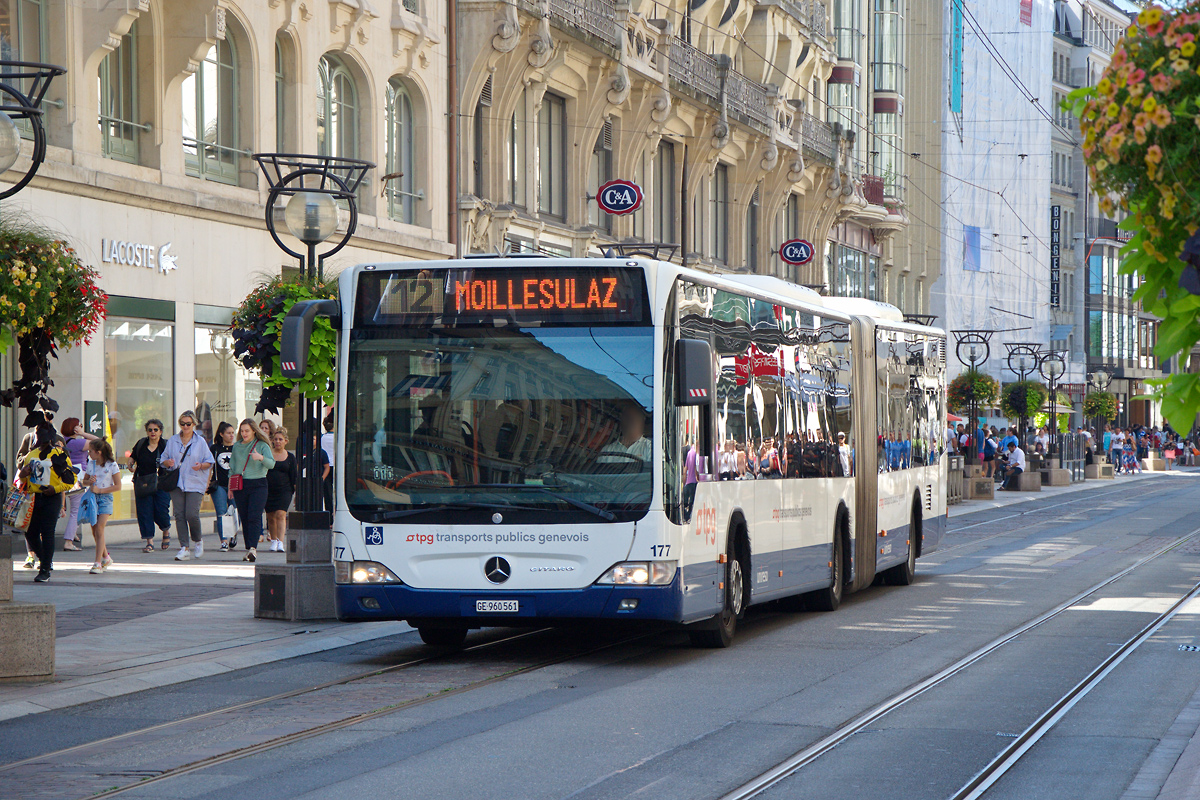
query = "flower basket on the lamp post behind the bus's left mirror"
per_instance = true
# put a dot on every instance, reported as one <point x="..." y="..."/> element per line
<point x="256" y="333"/>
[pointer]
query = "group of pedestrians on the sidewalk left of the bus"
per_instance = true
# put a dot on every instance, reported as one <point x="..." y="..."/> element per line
<point x="248" y="472"/>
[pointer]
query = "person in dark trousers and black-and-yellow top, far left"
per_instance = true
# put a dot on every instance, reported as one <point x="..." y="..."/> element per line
<point x="47" y="474"/>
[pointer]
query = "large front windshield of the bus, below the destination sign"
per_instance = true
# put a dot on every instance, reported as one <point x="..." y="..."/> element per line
<point x="545" y="425"/>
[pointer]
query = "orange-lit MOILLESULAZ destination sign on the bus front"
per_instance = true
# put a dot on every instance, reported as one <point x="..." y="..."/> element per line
<point x="526" y="296"/>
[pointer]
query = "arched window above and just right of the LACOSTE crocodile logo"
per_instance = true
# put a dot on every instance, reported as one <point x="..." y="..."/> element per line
<point x="211" y="117"/>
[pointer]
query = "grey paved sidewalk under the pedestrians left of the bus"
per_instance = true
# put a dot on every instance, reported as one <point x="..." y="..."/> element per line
<point x="152" y="622"/>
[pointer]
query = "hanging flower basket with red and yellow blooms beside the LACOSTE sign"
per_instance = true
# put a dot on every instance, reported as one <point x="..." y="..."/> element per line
<point x="49" y="300"/>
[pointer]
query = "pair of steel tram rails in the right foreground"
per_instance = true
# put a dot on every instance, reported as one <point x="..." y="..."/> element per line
<point x="1024" y="742"/>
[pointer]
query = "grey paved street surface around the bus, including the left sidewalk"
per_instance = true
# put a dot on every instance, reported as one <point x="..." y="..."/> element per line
<point x="598" y="714"/>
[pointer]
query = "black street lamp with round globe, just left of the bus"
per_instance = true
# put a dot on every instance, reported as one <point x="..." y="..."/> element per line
<point x="313" y="187"/>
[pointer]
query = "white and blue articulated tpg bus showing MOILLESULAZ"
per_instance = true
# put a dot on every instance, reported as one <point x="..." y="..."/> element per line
<point x="530" y="440"/>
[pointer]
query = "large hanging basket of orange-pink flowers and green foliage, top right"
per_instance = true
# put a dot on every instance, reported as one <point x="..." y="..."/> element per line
<point x="1139" y="127"/>
